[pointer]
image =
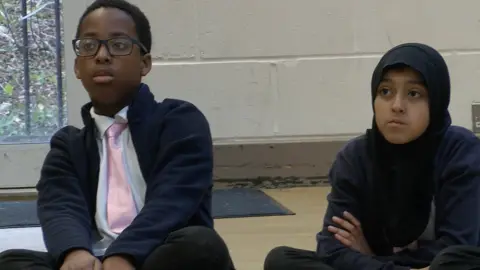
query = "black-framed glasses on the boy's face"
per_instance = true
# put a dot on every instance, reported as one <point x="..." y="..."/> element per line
<point x="118" y="46"/>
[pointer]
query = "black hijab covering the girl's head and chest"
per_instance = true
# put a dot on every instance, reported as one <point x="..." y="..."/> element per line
<point x="402" y="184"/>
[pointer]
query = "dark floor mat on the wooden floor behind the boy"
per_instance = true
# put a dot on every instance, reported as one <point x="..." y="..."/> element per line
<point x="227" y="203"/>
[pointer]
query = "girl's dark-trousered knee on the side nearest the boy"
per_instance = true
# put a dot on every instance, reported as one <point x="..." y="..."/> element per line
<point x="287" y="258"/>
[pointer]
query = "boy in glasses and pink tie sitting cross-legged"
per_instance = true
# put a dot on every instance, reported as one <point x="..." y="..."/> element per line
<point x="139" y="173"/>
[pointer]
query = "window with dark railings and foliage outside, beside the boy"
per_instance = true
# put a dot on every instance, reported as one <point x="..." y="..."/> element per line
<point x="32" y="99"/>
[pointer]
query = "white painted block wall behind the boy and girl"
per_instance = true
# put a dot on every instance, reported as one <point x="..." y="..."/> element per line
<point x="280" y="69"/>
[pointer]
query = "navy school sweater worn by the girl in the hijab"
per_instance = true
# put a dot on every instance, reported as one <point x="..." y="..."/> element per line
<point x="456" y="197"/>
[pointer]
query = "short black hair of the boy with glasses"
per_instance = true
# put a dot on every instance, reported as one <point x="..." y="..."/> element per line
<point x="142" y="25"/>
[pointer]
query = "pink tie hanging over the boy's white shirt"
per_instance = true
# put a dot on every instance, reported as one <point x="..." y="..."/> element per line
<point x="120" y="205"/>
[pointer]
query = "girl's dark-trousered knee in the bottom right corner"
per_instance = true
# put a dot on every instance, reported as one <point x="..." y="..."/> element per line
<point x="457" y="258"/>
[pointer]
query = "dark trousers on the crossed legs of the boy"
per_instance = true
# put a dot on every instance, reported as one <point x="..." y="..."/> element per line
<point x="185" y="249"/>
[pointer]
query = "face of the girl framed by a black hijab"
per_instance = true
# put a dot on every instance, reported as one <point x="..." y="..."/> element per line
<point x="401" y="106"/>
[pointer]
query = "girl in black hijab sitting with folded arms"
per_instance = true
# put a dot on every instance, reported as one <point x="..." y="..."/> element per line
<point x="406" y="189"/>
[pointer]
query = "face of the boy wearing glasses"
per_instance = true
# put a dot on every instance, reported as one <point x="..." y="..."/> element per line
<point x="110" y="79"/>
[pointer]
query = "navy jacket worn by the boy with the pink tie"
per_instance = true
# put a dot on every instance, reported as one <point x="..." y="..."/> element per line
<point x="174" y="147"/>
